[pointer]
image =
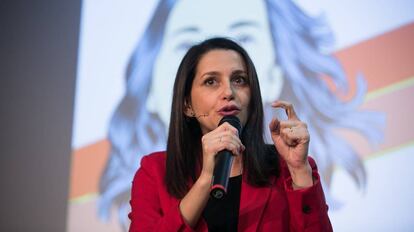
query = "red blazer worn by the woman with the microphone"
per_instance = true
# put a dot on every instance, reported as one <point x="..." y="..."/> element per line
<point x="274" y="208"/>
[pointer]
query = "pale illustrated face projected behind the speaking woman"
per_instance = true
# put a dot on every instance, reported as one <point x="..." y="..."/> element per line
<point x="192" y="21"/>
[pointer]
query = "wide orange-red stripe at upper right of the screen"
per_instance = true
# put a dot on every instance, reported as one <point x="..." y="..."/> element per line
<point x="383" y="60"/>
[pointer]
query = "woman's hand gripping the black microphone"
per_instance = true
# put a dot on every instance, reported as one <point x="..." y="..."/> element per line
<point x="223" y="137"/>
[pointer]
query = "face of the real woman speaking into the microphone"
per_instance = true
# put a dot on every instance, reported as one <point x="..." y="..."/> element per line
<point x="220" y="88"/>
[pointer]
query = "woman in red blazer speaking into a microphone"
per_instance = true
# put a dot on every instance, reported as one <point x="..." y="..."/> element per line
<point x="272" y="187"/>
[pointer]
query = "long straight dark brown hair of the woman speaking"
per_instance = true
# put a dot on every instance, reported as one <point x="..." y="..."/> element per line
<point x="184" y="136"/>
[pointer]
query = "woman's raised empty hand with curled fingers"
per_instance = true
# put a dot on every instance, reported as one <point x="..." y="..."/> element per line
<point x="291" y="138"/>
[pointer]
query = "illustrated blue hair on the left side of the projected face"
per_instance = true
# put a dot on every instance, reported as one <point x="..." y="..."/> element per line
<point x="133" y="131"/>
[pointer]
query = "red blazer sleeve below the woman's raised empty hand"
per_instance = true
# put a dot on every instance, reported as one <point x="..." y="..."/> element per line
<point x="307" y="207"/>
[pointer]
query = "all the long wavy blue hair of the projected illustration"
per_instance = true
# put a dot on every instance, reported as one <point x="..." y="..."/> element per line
<point x="300" y="42"/>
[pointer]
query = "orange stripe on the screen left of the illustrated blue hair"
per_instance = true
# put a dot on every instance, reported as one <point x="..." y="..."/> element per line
<point x="87" y="165"/>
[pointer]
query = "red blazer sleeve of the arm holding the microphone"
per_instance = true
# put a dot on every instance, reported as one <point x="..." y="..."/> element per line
<point x="147" y="214"/>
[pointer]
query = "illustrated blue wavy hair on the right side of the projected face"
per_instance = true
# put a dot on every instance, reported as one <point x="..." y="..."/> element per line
<point x="301" y="43"/>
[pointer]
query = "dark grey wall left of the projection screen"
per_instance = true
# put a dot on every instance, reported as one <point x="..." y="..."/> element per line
<point x="38" y="57"/>
